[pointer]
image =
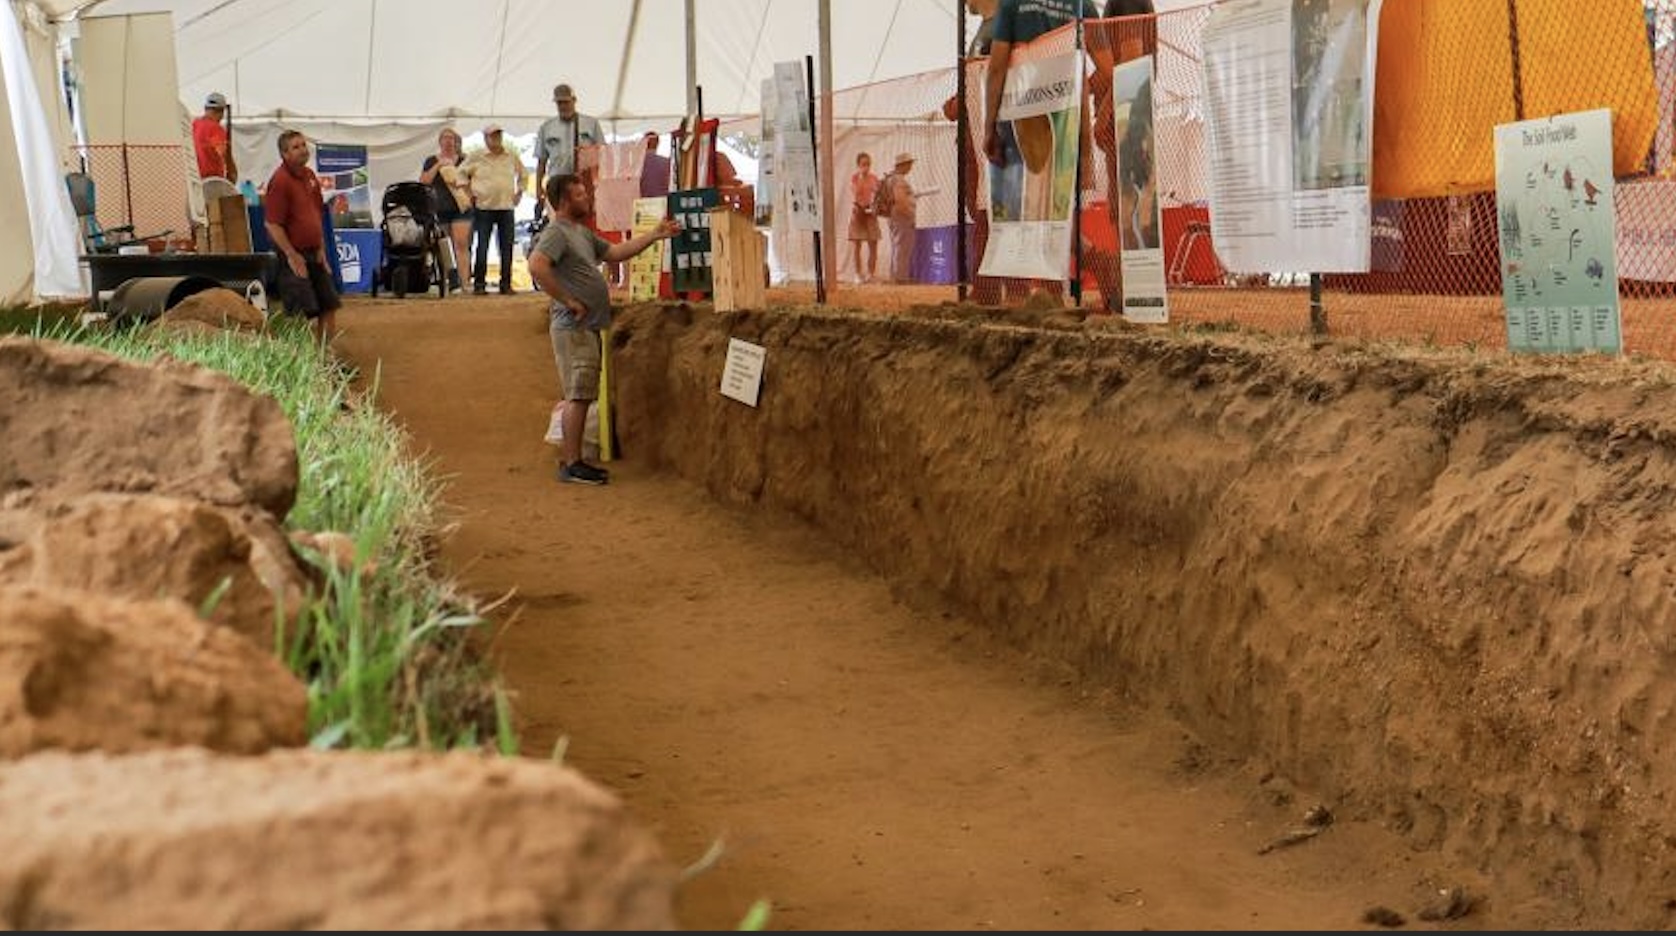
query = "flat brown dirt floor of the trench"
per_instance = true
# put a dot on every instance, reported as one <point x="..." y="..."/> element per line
<point x="867" y="761"/>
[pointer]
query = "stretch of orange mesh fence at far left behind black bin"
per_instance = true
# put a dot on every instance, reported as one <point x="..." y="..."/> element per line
<point x="140" y="185"/>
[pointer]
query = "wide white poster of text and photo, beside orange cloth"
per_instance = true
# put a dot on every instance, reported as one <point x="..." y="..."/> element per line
<point x="1290" y="120"/>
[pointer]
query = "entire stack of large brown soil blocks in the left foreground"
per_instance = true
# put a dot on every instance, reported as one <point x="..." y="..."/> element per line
<point x="120" y="484"/>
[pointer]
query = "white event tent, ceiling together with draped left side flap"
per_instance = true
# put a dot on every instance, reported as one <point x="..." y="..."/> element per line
<point x="390" y="73"/>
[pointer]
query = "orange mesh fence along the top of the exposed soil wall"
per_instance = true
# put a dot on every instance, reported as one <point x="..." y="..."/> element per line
<point x="1449" y="71"/>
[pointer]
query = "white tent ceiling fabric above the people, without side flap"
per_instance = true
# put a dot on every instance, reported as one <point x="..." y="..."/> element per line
<point x="380" y="61"/>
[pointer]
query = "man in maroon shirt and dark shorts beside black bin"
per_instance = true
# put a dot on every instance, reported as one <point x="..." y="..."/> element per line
<point x="294" y="217"/>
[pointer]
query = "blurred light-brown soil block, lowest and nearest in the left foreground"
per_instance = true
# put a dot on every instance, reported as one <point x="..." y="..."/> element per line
<point x="321" y="841"/>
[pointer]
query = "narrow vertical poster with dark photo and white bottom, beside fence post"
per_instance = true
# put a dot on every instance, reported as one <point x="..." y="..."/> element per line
<point x="1139" y="217"/>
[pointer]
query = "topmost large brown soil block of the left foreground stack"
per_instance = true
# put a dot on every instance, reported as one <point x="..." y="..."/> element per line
<point x="80" y="420"/>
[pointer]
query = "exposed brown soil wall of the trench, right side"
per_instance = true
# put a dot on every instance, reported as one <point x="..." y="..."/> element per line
<point x="1435" y="590"/>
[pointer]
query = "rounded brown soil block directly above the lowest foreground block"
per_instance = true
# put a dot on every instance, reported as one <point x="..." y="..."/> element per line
<point x="81" y="672"/>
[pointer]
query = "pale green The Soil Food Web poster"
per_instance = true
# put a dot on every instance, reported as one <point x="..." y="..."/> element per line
<point x="1560" y="234"/>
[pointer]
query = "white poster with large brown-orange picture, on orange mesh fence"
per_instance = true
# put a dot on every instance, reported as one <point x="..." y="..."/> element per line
<point x="1032" y="190"/>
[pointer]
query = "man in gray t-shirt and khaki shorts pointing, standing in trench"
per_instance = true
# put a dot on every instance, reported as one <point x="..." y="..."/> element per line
<point x="566" y="264"/>
